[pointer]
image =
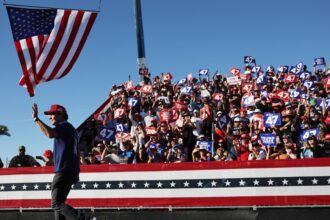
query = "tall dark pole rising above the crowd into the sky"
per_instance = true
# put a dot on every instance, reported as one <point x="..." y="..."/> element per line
<point x="139" y="34"/>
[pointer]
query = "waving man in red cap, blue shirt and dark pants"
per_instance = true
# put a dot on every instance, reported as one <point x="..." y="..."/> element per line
<point x="66" y="157"/>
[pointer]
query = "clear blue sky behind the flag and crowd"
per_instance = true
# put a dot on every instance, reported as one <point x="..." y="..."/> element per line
<point x="181" y="36"/>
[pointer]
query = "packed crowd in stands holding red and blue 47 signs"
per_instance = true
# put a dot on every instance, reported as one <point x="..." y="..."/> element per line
<point x="281" y="113"/>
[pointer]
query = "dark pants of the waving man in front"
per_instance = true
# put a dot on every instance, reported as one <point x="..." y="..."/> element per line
<point x="61" y="186"/>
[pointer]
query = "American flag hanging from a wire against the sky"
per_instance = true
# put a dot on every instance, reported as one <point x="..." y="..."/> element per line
<point x="48" y="41"/>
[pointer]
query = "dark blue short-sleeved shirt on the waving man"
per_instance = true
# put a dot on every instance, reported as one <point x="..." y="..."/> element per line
<point x="66" y="151"/>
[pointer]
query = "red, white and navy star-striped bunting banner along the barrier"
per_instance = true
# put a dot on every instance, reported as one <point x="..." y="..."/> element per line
<point x="208" y="184"/>
